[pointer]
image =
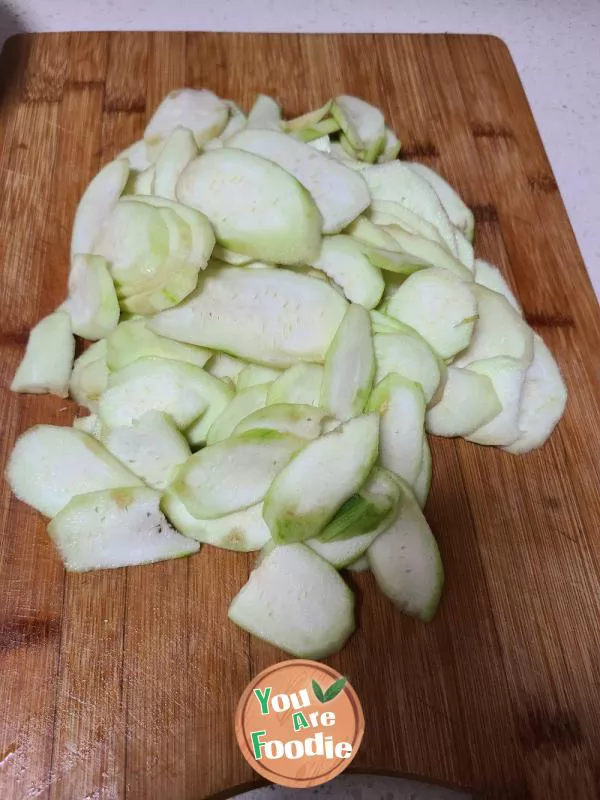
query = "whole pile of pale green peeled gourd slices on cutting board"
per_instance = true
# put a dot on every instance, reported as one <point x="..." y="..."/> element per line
<point x="280" y="311"/>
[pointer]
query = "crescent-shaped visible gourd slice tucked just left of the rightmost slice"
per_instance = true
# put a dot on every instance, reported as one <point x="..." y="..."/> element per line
<point x="508" y="376"/>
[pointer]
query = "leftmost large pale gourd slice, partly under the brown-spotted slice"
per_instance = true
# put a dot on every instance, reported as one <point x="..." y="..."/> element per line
<point x="50" y="465"/>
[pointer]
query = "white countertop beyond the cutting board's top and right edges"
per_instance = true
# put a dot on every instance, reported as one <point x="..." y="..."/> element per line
<point x="555" y="44"/>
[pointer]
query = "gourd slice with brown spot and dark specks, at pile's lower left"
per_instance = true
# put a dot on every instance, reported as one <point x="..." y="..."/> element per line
<point x="116" y="528"/>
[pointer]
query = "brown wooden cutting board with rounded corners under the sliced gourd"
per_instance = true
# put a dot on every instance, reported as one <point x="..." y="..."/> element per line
<point x="124" y="683"/>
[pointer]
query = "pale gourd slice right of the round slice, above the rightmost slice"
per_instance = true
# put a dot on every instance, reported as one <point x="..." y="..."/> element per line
<point x="499" y="331"/>
